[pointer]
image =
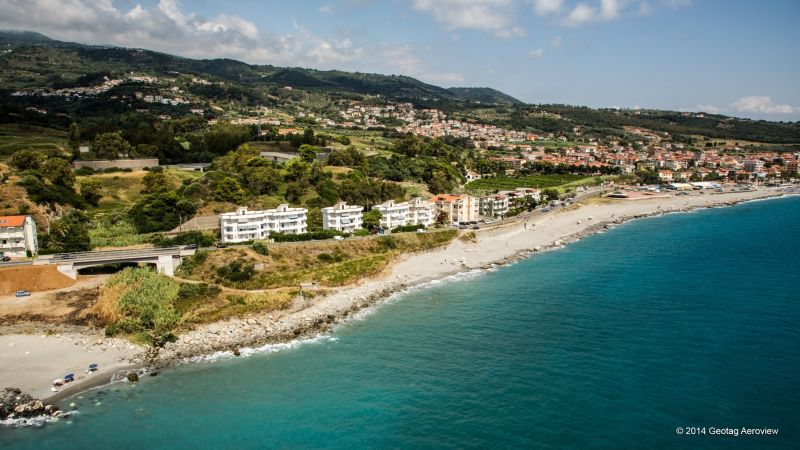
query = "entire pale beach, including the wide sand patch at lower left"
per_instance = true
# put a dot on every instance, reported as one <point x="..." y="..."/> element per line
<point x="31" y="361"/>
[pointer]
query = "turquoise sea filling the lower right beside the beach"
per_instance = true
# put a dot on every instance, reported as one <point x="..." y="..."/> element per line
<point x="686" y="320"/>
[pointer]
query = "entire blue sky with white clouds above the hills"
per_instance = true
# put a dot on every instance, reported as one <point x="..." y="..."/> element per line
<point x="734" y="57"/>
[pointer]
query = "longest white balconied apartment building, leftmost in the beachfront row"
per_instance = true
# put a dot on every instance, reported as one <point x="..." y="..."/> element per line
<point x="244" y="225"/>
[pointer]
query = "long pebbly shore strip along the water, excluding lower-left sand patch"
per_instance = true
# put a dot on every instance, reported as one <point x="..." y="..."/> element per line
<point x="528" y="234"/>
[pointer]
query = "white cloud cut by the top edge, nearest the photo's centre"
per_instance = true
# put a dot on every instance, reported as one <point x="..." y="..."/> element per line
<point x="491" y="16"/>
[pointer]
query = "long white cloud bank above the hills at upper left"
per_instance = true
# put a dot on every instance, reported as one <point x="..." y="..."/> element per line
<point x="167" y="27"/>
